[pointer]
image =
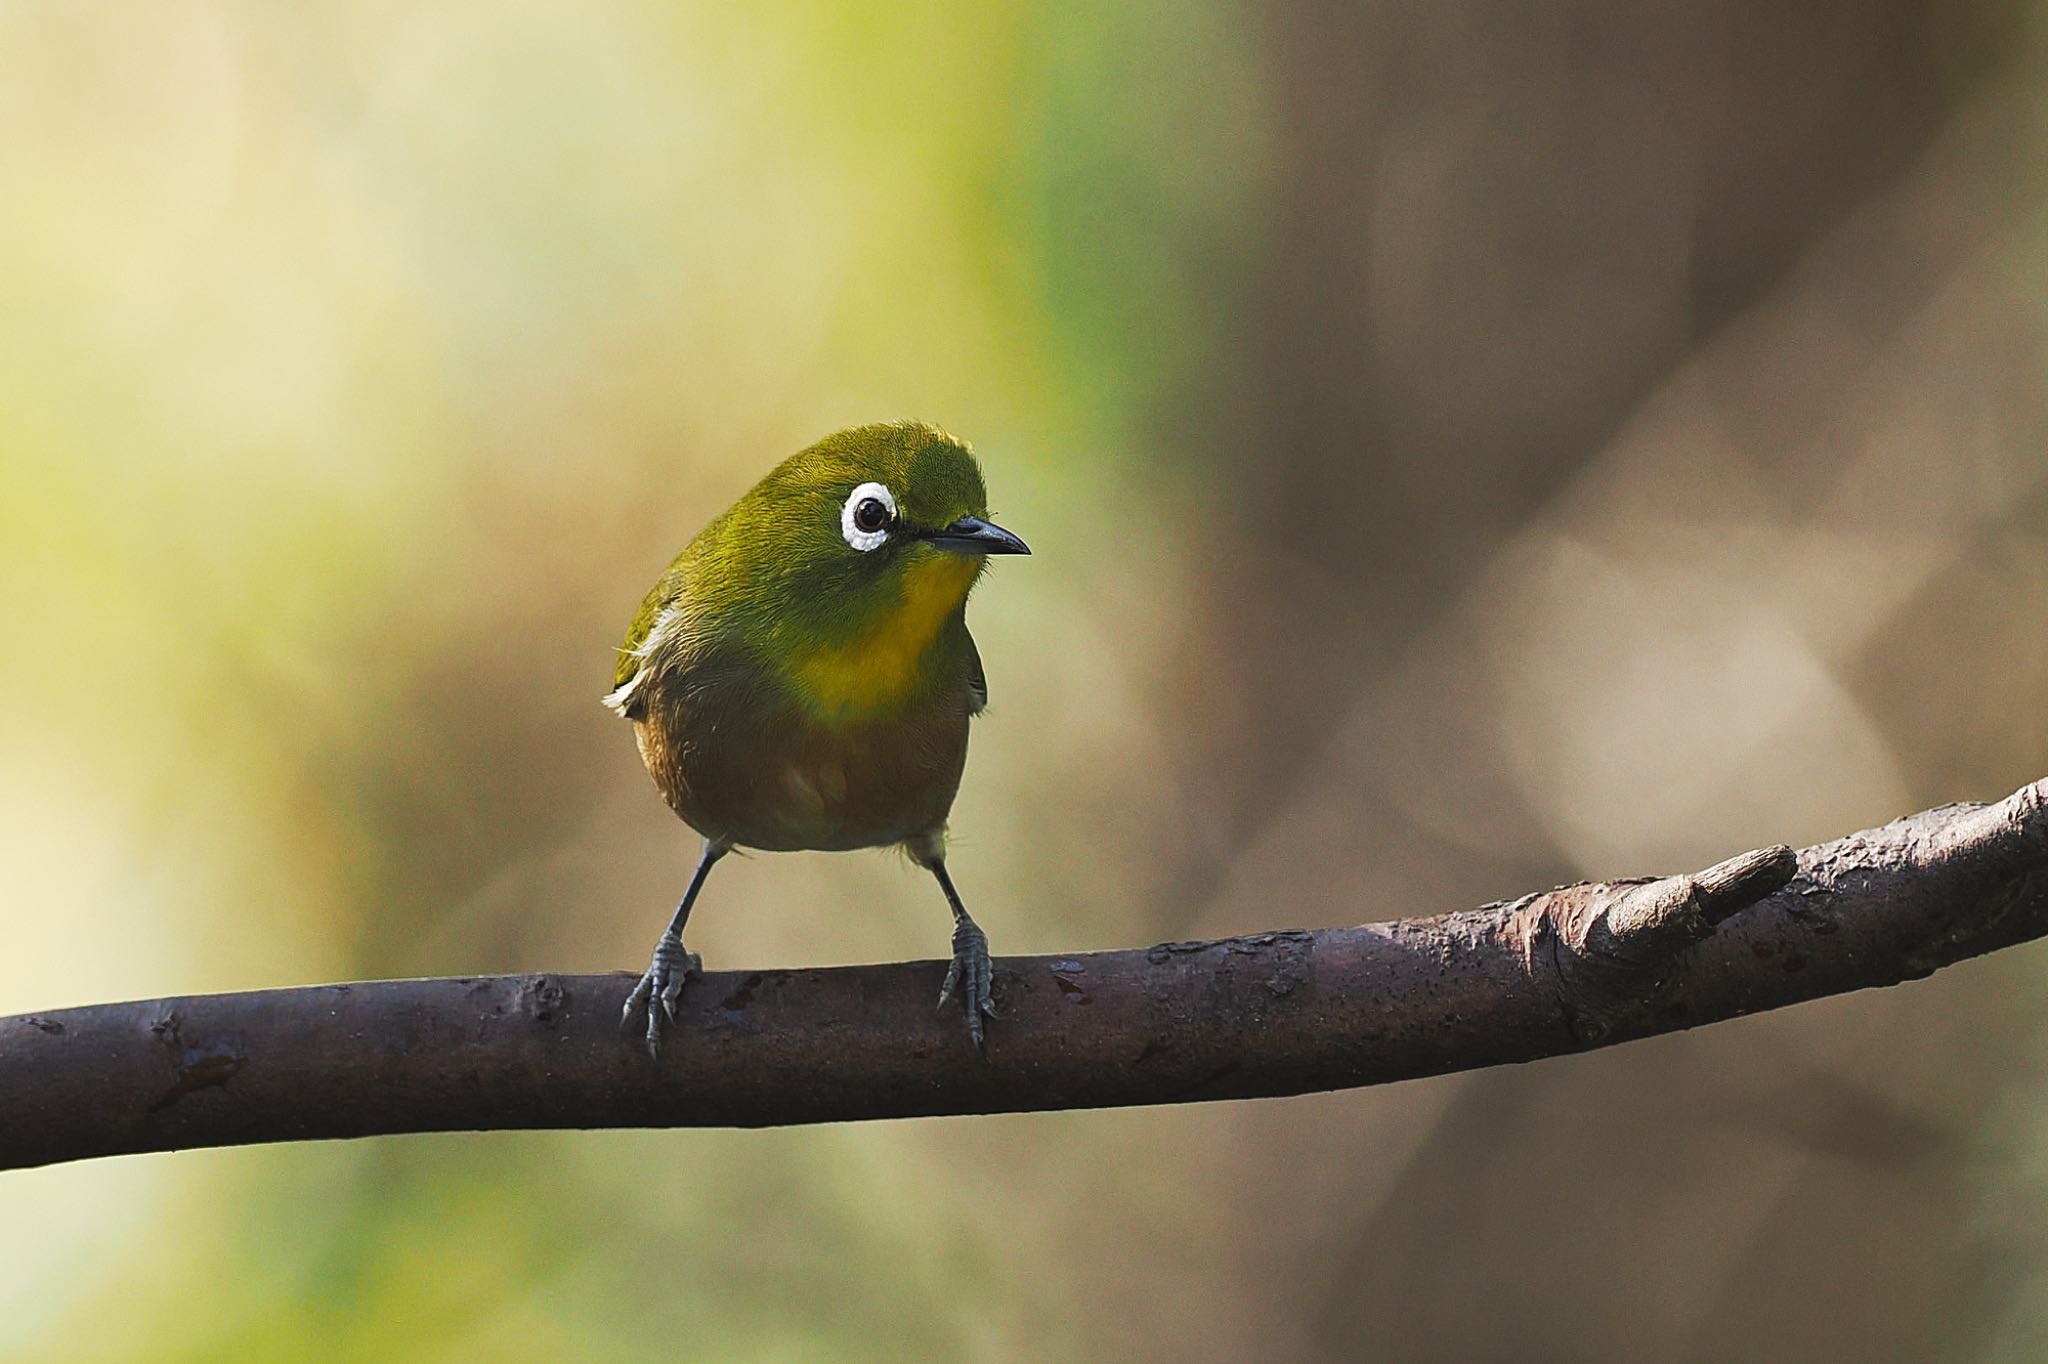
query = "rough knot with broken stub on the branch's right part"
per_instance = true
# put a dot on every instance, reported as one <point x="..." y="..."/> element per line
<point x="1619" y="943"/>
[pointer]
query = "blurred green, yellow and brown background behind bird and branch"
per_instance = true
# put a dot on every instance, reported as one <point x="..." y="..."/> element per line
<point x="1467" y="447"/>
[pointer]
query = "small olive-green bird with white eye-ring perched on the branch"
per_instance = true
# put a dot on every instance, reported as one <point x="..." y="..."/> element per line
<point x="802" y="677"/>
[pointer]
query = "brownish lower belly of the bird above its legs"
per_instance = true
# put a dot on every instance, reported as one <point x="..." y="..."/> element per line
<point x="794" y="785"/>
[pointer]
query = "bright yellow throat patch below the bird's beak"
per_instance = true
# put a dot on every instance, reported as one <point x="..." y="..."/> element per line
<point x="880" y="669"/>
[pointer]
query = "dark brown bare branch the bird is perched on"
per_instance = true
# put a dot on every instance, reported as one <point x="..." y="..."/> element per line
<point x="1267" y="1015"/>
